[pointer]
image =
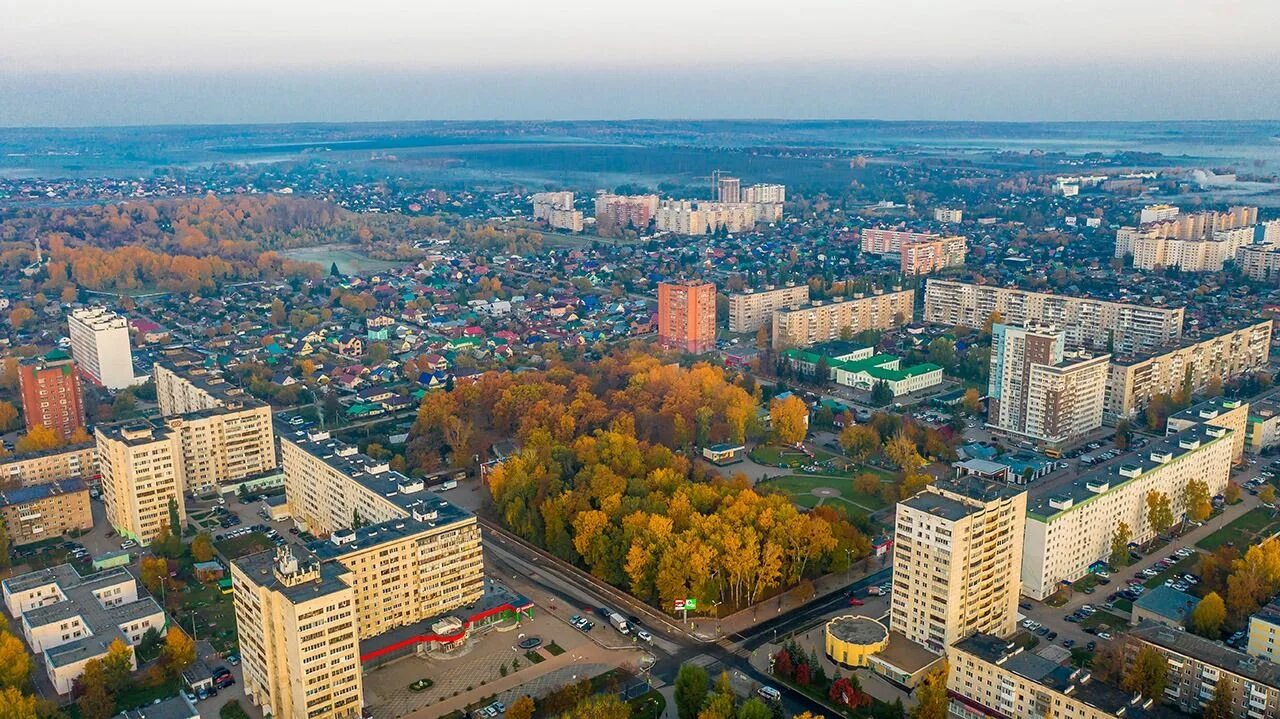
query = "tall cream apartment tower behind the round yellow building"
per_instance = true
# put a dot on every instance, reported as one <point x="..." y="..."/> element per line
<point x="957" y="562"/>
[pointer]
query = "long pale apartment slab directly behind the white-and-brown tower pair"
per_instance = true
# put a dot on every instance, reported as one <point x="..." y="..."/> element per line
<point x="1095" y="324"/>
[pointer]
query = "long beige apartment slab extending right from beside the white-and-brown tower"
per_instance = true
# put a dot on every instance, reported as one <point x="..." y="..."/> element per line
<point x="1135" y="381"/>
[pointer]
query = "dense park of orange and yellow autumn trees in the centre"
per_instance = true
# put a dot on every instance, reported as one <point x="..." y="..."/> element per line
<point x="604" y="479"/>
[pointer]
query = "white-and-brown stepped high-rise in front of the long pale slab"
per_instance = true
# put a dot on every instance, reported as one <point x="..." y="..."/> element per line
<point x="1040" y="391"/>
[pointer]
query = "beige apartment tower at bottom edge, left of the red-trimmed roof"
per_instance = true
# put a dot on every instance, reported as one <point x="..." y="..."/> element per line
<point x="299" y="636"/>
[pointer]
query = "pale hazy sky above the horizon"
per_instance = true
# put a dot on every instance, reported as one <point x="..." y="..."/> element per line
<point x="140" y="62"/>
